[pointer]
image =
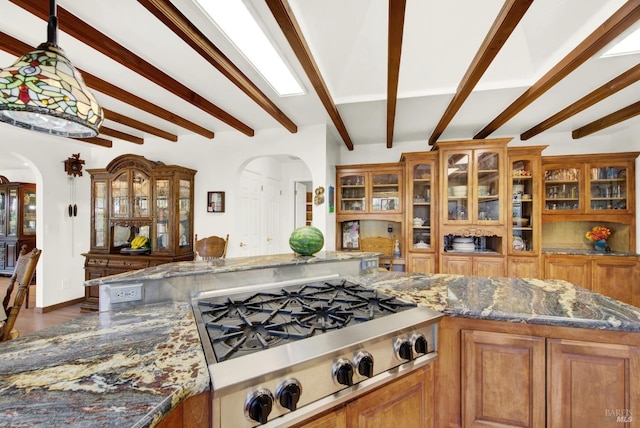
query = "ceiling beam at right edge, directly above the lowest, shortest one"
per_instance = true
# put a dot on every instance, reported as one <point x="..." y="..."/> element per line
<point x="611" y="87"/>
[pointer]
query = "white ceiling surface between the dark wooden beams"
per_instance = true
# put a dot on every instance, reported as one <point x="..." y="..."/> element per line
<point x="348" y="40"/>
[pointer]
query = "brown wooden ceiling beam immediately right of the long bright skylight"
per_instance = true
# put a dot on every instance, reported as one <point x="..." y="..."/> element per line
<point x="286" y="20"/>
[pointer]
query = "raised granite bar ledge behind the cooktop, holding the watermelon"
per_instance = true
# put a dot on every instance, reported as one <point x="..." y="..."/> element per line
<point x="202" y="267"/>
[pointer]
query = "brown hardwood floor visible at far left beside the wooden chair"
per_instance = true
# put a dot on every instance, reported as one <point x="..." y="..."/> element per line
<point x="29" y="320"/>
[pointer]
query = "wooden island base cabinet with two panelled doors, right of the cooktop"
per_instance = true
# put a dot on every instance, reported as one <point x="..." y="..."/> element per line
<point x="501" y="374"/>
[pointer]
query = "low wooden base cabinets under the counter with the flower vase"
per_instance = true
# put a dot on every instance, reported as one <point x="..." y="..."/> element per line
<point x="617" y="277"/>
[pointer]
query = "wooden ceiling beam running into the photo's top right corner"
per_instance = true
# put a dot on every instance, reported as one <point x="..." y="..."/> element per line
<point x="617" y="23"/>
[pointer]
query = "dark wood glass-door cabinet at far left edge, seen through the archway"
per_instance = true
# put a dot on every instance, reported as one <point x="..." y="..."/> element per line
<point x="17" y="221"/>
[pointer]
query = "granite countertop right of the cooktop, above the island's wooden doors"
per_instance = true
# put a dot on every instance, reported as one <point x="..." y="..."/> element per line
<point x="532" y="301"/>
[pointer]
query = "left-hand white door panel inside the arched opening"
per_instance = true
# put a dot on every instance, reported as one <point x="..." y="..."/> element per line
<point x="250" y="214"/>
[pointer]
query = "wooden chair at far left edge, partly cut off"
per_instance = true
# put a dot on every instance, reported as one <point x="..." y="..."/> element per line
<point x="25" y="269"/>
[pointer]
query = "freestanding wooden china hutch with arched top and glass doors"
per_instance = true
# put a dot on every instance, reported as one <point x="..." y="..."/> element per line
<point x="134" y="196"/>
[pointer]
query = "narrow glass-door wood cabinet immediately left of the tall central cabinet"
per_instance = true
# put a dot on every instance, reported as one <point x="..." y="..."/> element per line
<point x="421" y="219"/>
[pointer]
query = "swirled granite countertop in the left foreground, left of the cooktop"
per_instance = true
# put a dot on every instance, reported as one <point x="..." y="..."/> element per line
<point x="113" y="369"/>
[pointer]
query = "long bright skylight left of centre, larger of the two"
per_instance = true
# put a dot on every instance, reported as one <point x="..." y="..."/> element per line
<point x="241" y="28"/>
